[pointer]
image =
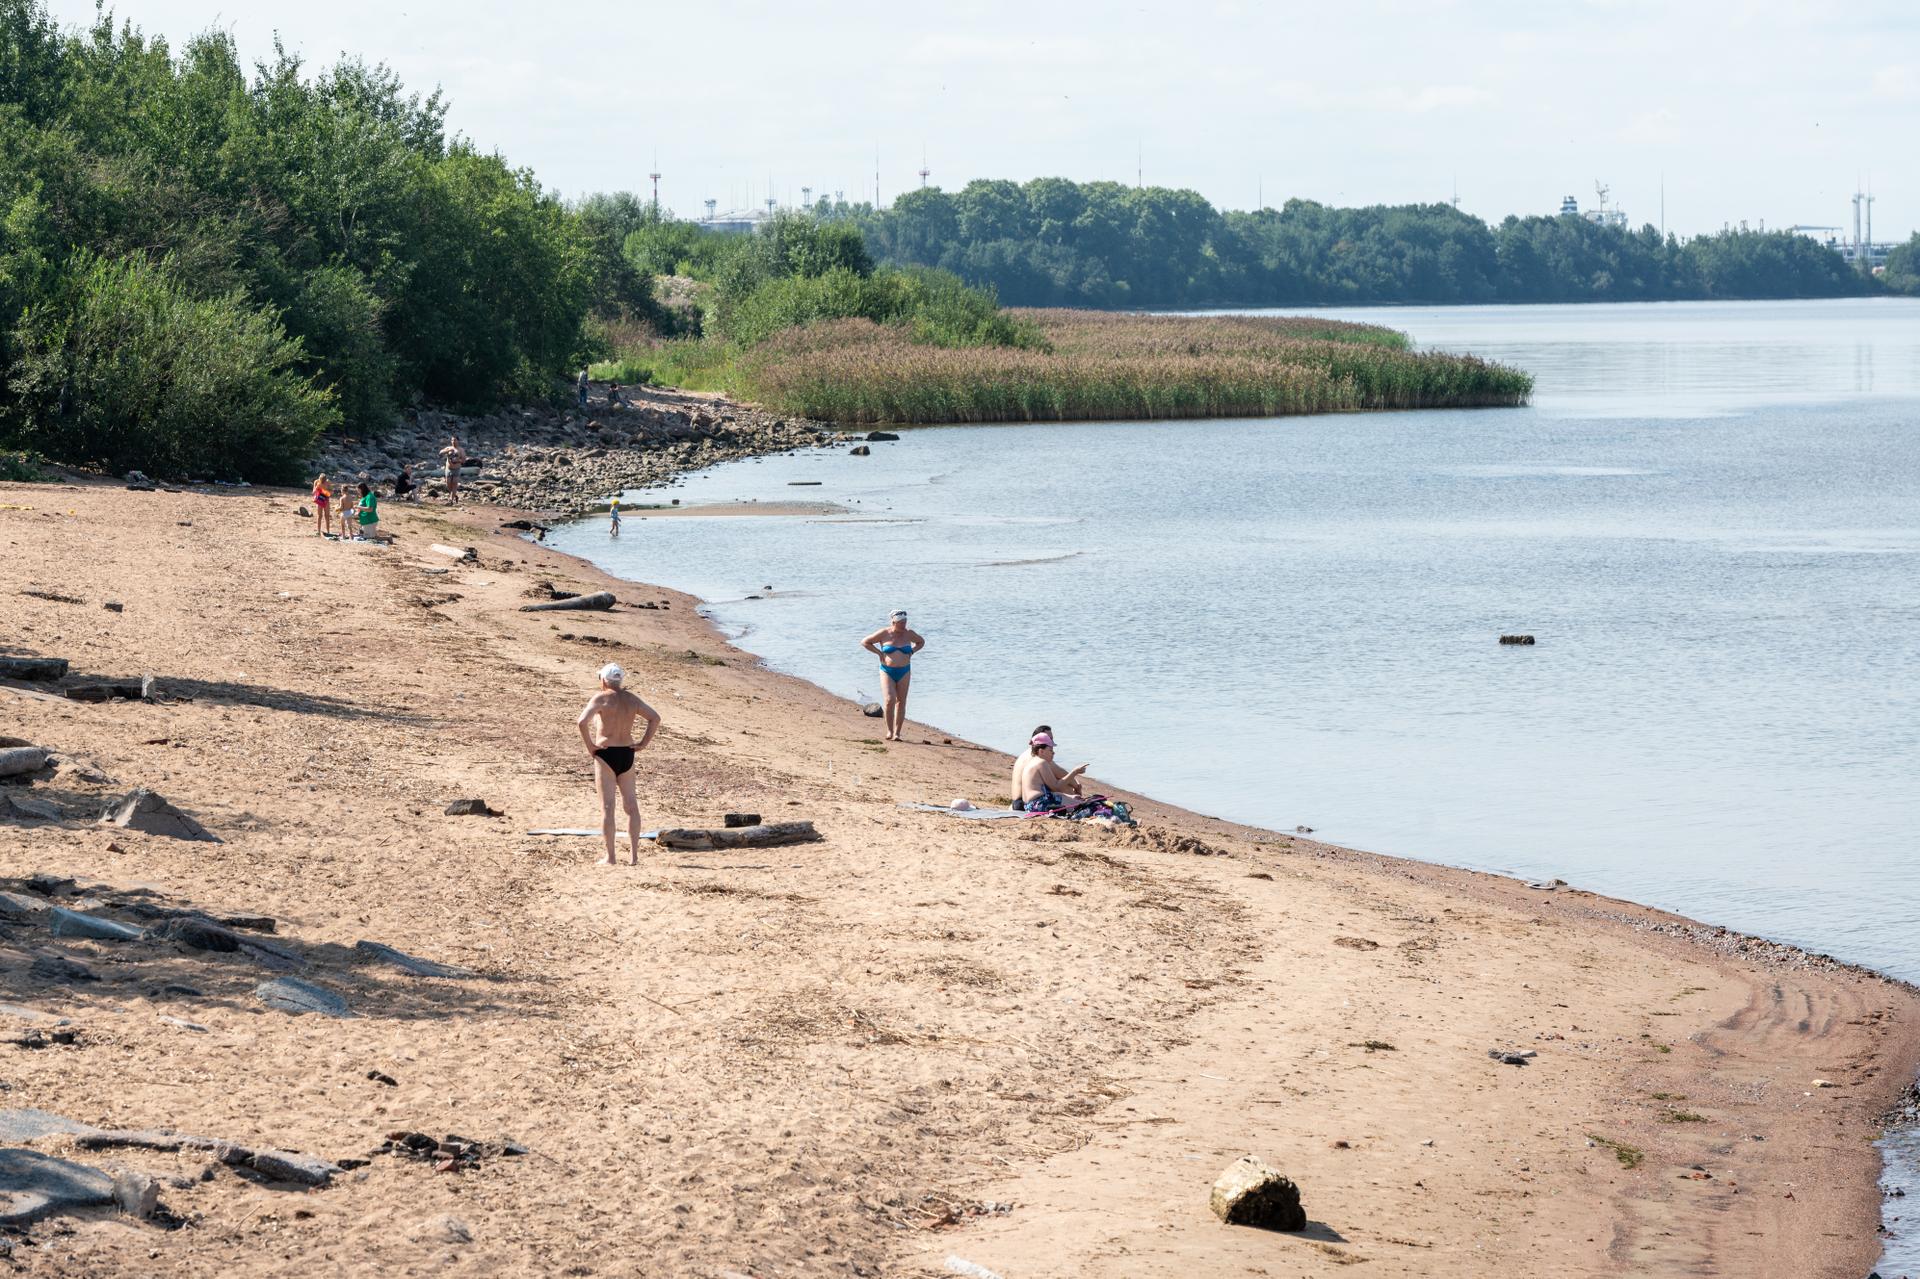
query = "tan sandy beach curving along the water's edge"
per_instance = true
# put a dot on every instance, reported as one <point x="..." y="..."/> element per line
<point x="1026" y="1046"/>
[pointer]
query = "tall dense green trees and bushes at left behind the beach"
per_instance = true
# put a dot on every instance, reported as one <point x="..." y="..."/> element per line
<point x="204" y="268"/>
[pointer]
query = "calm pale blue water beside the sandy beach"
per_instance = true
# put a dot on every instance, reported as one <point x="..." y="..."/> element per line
<point x="1710" y="519"/>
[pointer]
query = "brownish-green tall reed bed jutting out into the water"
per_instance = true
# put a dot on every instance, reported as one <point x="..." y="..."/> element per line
<point x="1103" y="366"/>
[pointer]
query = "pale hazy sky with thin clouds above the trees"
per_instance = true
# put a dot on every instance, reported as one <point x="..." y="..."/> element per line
<point x="1754" y="110"/>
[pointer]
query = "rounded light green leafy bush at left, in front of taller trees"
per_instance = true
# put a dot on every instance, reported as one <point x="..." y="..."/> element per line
<point x="124" y="370"/>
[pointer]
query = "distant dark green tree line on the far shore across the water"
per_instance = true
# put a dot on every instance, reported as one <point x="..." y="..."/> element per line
<point x="1107" y="245"/>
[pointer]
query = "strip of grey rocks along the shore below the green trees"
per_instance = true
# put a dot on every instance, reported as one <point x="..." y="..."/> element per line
<point x="567" y="462"/>
